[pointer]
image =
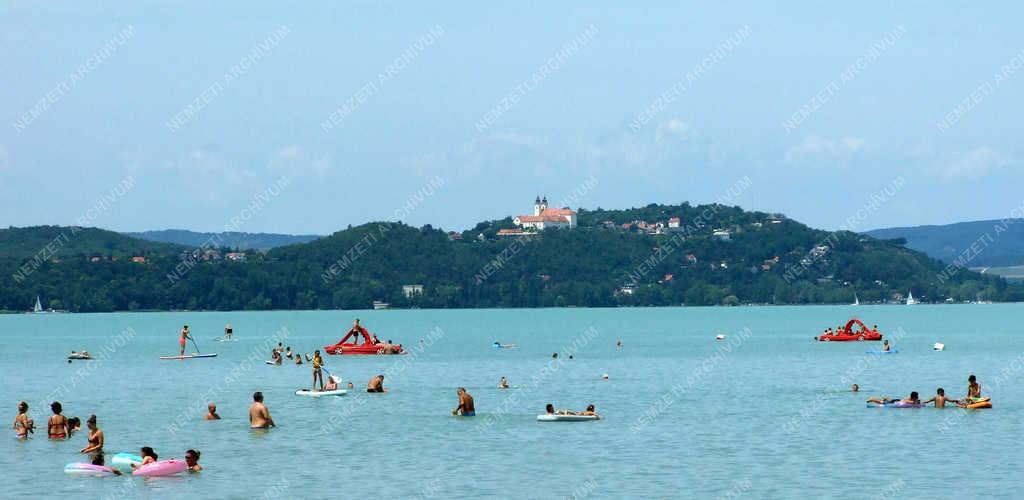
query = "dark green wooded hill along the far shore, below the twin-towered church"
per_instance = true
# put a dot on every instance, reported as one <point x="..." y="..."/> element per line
<point x="718" y="256"/>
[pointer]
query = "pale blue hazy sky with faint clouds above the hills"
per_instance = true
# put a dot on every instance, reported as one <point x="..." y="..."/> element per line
<point x="306" y="119"/>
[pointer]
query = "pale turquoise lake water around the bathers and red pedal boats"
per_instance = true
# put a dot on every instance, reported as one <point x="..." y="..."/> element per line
<point x="766" y="413"/>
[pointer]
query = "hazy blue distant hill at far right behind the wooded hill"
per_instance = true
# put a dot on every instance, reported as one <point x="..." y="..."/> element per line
<point x="996" y="243"/>
